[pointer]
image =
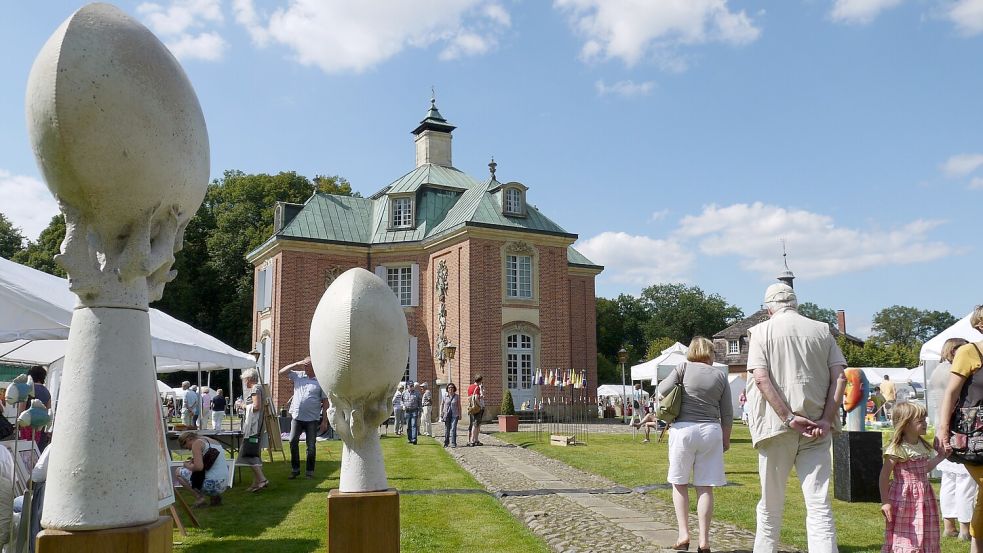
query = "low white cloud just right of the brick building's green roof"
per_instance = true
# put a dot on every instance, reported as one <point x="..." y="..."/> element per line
<point x="638" y="259"/>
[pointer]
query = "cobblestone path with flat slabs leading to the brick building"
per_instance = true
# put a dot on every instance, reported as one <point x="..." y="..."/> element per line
<point x="575" y="511"/>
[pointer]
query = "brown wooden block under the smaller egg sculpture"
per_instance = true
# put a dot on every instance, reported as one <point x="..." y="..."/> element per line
<point x="364" y="522"/>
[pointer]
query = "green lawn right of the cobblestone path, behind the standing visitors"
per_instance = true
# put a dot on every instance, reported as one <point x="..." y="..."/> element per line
<point x="859" y="526"/>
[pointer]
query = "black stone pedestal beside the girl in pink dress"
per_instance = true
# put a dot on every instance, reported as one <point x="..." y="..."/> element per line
<point x="856" y="466"/>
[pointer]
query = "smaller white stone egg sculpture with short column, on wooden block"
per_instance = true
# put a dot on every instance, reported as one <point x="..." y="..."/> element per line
<point x="359" y="347"/>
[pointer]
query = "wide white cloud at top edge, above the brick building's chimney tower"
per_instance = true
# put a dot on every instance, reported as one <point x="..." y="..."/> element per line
<point x="340" y="35"/>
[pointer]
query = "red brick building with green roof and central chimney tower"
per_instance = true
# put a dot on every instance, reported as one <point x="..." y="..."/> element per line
<point x="472" y="262"/>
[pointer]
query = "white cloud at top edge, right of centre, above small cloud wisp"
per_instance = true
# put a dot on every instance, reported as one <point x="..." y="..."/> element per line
<point x="632" y="30"/>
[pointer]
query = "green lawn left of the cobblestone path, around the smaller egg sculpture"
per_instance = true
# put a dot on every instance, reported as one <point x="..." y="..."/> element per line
<point x="290" y="516"/>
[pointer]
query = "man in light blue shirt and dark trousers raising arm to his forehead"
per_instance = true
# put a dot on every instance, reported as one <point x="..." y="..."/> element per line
<point x="307" y="409"/>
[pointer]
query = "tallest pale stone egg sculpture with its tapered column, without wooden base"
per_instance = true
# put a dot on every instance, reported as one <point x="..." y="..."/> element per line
<point x="121" y="141"/>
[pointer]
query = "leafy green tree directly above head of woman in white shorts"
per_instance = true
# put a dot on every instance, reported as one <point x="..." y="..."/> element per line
<point x="681" y="312"/>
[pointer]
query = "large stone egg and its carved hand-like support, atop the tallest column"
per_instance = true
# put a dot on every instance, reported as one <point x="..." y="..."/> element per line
<point x="121" y="140"/>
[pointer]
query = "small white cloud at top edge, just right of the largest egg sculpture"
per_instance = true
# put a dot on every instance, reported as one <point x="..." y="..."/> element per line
<point x="181" y="27"/>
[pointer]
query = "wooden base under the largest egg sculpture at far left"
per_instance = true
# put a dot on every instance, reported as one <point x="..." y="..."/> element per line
<point x="155" y="537"/>
